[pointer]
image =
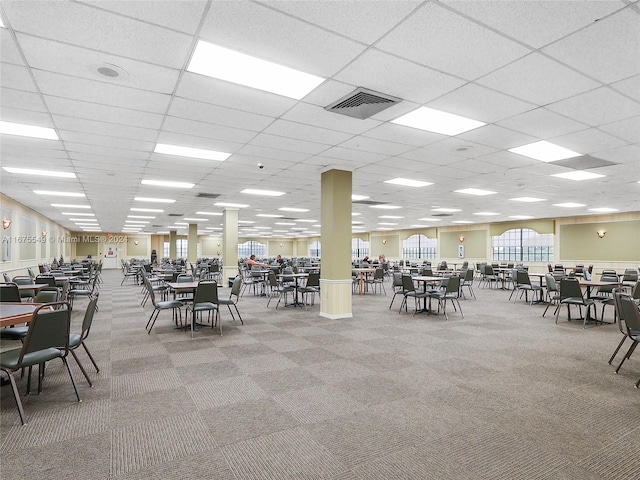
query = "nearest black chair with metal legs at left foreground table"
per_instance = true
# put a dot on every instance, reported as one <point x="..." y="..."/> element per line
<point x="46" y="340"/>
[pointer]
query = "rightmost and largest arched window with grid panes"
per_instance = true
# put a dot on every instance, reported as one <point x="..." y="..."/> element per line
<point x="523" y="245"/>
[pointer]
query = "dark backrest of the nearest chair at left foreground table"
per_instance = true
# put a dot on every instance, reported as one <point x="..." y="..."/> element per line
<point x="49" y="328"/>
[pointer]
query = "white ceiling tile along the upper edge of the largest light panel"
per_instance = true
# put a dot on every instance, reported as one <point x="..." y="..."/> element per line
<point x="321" y="53"/>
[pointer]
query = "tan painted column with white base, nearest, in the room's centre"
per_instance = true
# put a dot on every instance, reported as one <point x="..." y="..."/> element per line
<point x="335" y="284"/>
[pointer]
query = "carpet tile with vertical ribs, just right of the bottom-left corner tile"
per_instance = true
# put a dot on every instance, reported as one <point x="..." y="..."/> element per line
<point x="152" y="443"/>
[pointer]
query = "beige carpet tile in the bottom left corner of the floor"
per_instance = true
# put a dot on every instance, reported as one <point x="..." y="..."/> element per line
<point x="82" y="457"/>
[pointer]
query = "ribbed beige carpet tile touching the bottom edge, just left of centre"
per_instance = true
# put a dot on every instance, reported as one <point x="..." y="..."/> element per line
<point x="291" y="454"/>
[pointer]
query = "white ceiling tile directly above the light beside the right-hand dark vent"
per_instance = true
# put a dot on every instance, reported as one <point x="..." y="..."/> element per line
<point x="542" y="123"/>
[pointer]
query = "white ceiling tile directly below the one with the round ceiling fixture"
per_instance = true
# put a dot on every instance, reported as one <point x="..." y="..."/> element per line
<point x="99" y="92"/>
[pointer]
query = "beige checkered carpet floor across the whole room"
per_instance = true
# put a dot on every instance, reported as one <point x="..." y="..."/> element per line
<point x="502" y="393"/>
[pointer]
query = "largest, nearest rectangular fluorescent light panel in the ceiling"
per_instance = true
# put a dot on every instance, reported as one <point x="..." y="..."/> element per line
<point x="224" y="64"/>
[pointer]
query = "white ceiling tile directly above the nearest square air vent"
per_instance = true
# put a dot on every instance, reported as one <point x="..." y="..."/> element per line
<point x="395" y="76"/>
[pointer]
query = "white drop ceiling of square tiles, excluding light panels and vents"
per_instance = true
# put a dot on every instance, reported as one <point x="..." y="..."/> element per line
<point x="562" y="71"/>
